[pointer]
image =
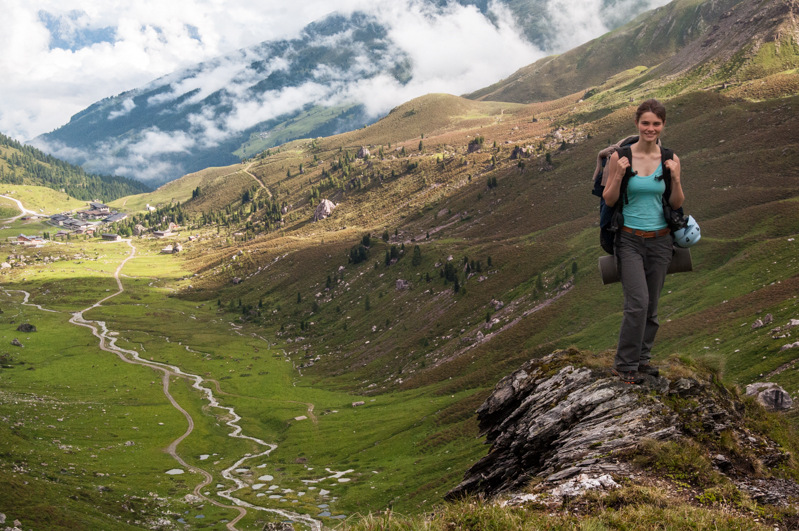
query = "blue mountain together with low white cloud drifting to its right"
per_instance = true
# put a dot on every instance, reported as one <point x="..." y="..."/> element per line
<point x="354" y="66"/>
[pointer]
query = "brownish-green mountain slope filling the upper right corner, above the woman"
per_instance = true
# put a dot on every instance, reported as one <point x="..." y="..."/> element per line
<point x="699" y="42"/>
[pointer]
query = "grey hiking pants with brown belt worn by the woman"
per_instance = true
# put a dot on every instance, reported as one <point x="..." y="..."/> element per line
<point x="644" y="262"/>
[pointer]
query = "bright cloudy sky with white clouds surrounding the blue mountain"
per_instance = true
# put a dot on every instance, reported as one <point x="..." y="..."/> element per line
<point x="61" y="56"/>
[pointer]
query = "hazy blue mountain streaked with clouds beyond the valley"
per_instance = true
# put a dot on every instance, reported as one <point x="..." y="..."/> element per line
<point x="234" y="106"/>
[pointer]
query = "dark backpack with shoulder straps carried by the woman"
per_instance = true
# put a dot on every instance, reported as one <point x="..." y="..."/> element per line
<point x="611" y="219"/>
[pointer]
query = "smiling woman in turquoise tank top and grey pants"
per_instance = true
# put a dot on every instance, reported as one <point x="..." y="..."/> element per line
<point x="645" y="248"/>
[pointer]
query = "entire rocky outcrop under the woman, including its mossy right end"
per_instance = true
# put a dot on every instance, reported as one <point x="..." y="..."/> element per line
<point x="561" y="422"/>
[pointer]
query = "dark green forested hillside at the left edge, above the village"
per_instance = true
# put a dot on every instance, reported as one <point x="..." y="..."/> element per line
<point x="20" y="164"/>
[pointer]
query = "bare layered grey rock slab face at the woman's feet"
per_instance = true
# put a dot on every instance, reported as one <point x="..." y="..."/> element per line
<point x="541" y="423"/>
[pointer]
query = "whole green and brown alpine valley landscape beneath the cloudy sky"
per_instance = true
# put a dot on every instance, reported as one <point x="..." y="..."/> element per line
<point x="326" y="334"/>
